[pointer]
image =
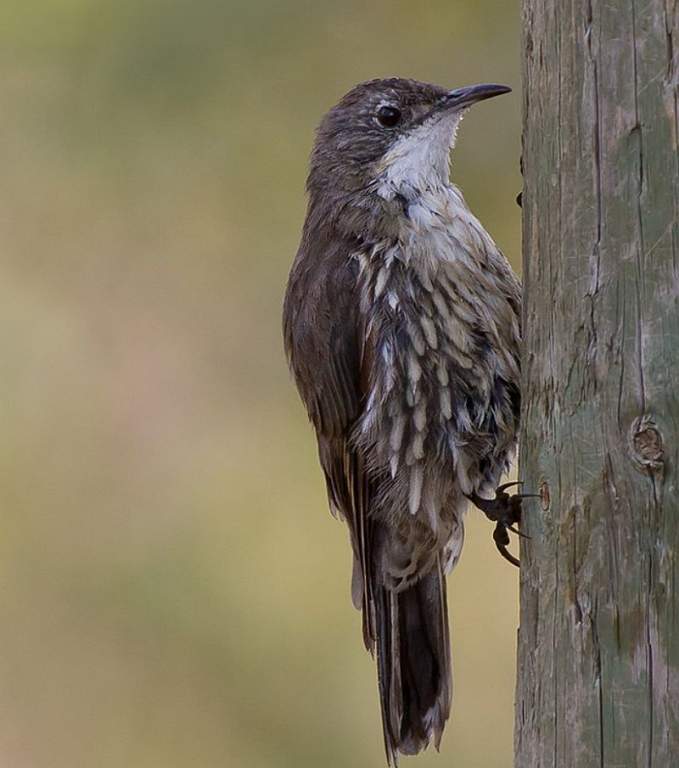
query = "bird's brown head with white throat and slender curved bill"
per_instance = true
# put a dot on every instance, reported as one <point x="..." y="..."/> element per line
<point x="387" y="140"/>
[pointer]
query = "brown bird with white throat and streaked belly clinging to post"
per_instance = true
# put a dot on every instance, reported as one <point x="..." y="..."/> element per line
<point x="401" y="325"/>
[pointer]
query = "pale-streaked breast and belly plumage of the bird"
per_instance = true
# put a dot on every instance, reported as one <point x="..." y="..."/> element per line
<point x="441" y="307"/>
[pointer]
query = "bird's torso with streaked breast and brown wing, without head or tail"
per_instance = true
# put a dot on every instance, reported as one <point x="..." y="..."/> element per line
<point x="406" y="353"/>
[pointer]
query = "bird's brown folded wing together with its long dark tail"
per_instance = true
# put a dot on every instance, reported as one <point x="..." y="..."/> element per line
<point x="329" y="358"/>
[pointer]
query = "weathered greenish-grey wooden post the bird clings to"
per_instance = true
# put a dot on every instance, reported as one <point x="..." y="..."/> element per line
<point x="598" y="653"/>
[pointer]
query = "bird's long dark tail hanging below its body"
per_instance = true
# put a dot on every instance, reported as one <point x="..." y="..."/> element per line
<point x="413" y="664"/>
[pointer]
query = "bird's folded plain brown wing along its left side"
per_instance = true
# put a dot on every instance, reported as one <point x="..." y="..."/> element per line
<point x="324" y="344"/>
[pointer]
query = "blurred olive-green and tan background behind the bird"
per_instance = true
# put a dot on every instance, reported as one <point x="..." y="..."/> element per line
<point x="173" y="590"/>
